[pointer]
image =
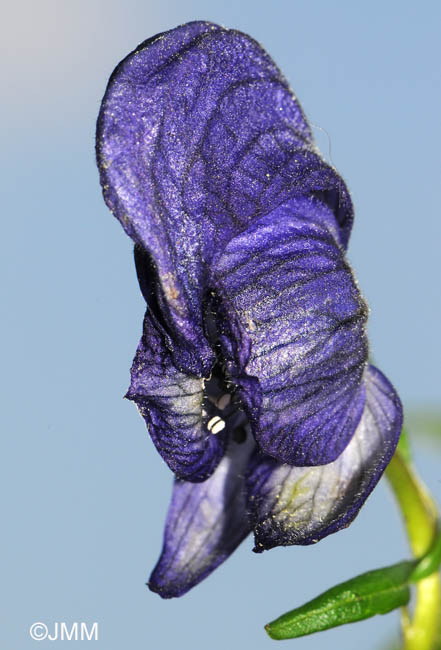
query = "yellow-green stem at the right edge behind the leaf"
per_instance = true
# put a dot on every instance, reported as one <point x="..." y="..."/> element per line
<point x="421" y="630"/>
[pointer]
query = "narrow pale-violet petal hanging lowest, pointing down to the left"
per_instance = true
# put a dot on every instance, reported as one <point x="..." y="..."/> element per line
<point x="205" y="524"/>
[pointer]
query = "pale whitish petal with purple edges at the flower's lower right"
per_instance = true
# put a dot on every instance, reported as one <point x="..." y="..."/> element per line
<point x="301" y="505"/>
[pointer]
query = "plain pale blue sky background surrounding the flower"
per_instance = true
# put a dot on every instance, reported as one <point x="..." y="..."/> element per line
<point x="85" y="493"/>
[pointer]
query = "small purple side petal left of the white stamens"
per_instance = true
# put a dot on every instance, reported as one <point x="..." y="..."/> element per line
<point x="171" y="404"/>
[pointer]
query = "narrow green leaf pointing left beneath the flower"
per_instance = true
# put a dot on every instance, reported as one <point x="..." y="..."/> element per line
<point x="375" y="592"/>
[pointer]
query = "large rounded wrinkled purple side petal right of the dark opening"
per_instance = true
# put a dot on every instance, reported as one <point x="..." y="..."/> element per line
<point x="292" y="331"/>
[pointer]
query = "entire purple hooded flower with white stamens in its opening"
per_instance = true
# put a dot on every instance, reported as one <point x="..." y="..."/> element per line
<point x="252" y="371"/>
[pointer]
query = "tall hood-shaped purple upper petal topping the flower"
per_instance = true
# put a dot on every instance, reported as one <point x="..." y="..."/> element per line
<point x="198" y="134"/>
